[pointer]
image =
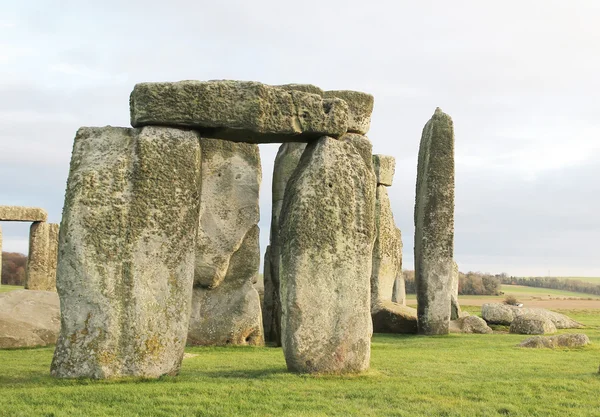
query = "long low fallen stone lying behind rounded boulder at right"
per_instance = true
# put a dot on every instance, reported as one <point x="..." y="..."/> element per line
<point x="497" y="313"/>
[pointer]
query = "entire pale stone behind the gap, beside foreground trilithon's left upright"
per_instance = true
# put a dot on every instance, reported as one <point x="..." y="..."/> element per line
<point x="226" y="306"/>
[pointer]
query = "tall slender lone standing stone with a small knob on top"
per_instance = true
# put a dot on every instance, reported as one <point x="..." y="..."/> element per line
<point x="434" y="224"/>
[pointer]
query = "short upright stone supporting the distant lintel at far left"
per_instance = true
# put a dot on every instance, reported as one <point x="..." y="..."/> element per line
<point x="43" y="254"/>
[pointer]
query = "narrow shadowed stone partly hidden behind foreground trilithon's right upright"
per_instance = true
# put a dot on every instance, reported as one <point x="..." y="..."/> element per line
<point x="286" y="161"/>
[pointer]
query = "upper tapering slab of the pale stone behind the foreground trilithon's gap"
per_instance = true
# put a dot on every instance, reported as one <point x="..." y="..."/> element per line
<point x="231" y="176"/>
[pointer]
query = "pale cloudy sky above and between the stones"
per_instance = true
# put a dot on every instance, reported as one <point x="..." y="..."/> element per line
<point x="519" y="78"/>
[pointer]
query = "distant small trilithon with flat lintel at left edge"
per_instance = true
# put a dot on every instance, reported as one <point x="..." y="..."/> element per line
<point x="43" y="246"/>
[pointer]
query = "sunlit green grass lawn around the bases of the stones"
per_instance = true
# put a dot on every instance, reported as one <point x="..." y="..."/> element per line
<point x="456" y="375"/>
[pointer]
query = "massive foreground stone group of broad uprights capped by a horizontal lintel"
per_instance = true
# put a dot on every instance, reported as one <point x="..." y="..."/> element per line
<point x="159" y="237"/>
